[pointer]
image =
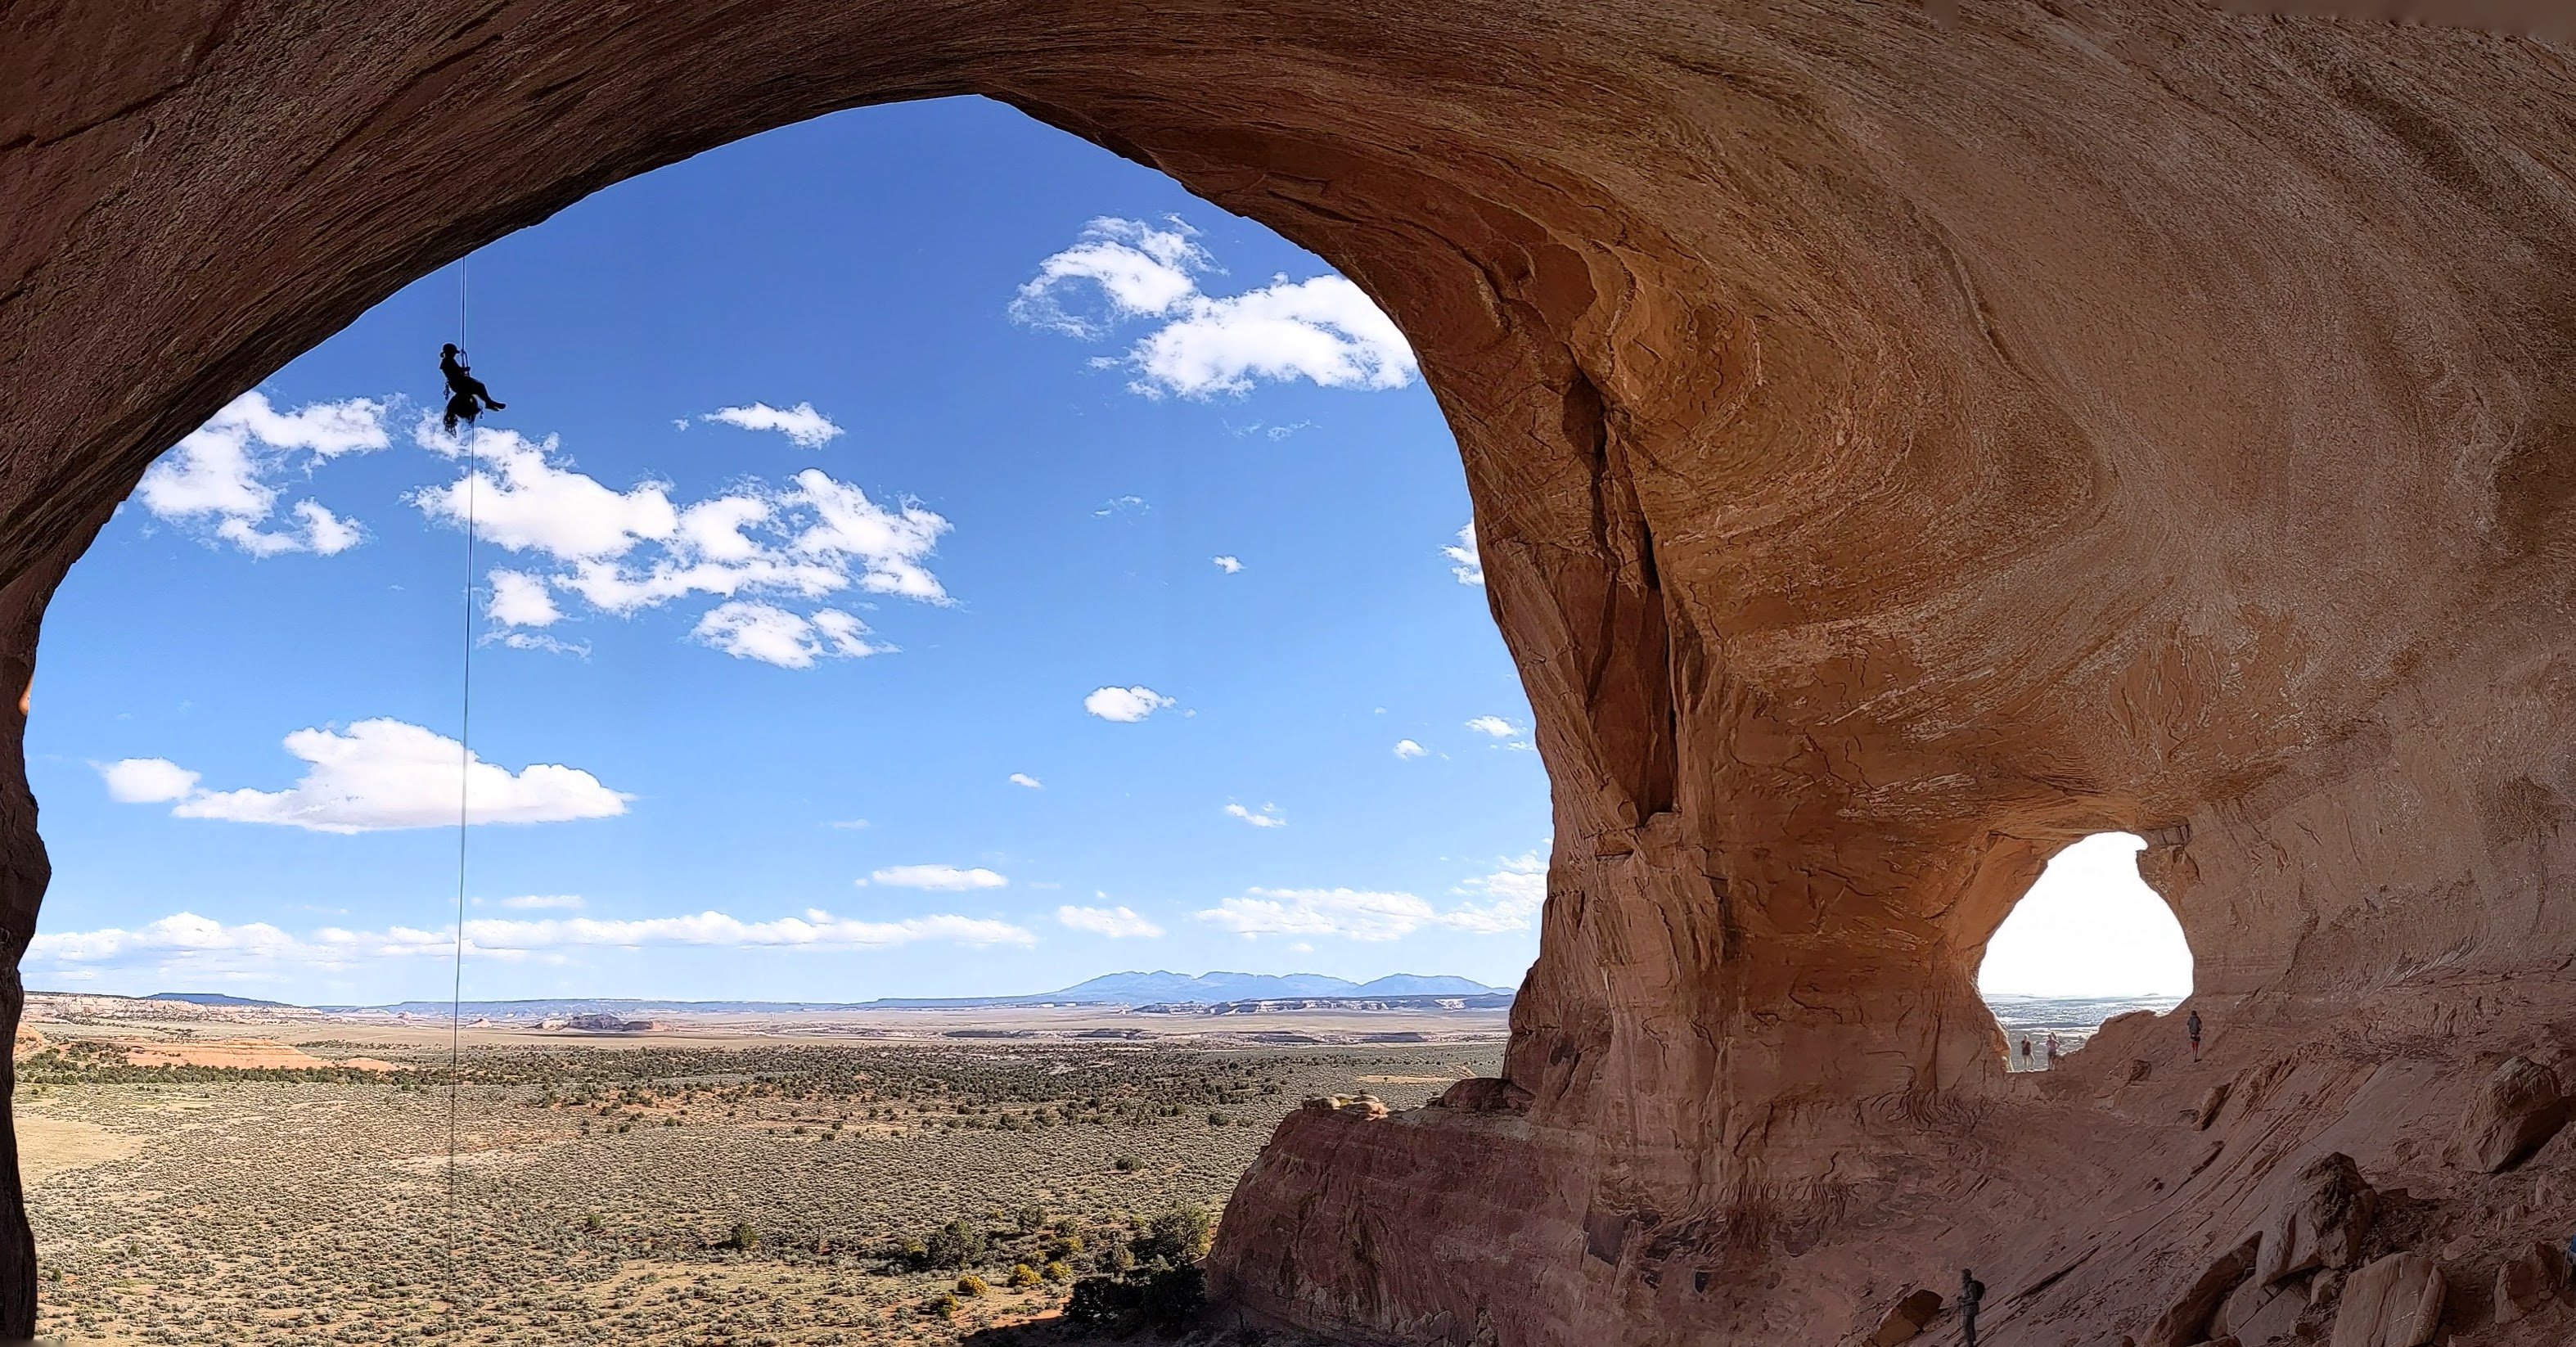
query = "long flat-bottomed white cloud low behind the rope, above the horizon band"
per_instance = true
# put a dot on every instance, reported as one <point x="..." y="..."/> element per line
<point x="372" y="779"/>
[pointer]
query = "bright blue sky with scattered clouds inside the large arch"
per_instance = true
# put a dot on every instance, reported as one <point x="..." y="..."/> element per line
<point x="936" y="558"/>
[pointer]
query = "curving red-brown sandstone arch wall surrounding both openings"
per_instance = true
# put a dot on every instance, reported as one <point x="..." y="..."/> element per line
<point x="1900" y="444"/>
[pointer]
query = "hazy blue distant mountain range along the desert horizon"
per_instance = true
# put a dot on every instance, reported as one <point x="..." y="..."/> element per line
<point x="1104" y="990"/>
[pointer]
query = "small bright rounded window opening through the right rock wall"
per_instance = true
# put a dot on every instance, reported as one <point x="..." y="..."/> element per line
<point x="2090" y="941"/>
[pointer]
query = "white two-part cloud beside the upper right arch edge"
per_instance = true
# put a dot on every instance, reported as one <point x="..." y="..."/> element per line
<point x="1127" y="272"/>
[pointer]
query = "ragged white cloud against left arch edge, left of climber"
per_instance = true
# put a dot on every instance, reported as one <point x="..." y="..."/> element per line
<point x="225" y="475"/>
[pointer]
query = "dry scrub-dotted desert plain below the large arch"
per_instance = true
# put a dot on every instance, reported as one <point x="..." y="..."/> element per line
<point x="599" y="1191"/>
